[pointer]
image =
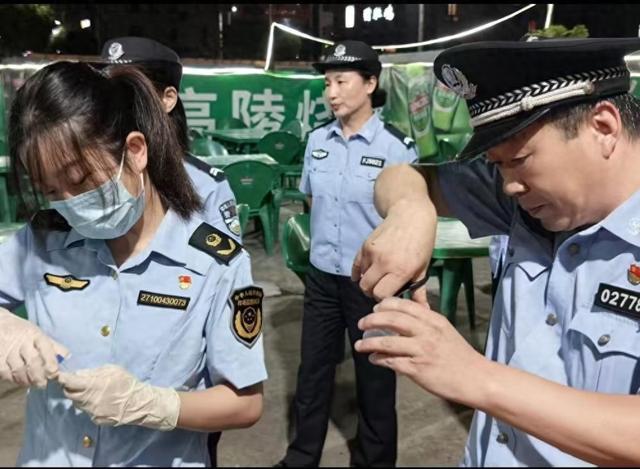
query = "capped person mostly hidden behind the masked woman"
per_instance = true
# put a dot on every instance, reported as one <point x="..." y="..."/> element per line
<point x="162" y="65"/>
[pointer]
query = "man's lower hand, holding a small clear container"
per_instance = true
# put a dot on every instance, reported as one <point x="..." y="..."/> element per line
<point x="427" y="349"/>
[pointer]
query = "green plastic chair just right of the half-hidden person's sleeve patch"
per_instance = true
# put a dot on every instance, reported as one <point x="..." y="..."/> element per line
<point x="253" y="182"/>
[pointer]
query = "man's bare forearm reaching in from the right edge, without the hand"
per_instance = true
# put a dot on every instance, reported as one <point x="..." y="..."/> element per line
<point x="597" y="427"/>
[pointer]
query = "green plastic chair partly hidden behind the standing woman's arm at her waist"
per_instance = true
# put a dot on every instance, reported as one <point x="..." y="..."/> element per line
<point x="296" y="243"/>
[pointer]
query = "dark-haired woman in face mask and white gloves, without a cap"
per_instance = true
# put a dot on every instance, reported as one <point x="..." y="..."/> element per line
<point x="151" y="311"/>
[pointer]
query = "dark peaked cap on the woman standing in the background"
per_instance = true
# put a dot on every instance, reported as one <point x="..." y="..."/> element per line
<point x="351" y="55"/>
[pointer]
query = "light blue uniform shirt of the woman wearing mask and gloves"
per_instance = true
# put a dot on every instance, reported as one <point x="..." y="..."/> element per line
<point x="170" y="315"/>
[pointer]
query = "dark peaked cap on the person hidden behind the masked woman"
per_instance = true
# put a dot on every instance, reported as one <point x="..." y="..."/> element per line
<point x="147" y="52"/>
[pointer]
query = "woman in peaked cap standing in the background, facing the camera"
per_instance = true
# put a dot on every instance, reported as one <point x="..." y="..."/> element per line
<point x="341" y="163"/>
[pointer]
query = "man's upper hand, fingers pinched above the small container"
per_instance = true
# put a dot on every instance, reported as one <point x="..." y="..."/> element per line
<point x="398" y="250"/>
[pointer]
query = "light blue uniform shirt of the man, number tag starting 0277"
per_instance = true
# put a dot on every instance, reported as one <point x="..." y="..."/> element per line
<point x="567" y="308"/>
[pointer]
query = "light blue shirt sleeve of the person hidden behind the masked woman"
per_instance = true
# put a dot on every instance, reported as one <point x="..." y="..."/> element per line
<point x="218" y="200"/>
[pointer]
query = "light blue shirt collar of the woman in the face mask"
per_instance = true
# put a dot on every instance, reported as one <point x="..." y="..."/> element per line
<point x="170" y="241"/>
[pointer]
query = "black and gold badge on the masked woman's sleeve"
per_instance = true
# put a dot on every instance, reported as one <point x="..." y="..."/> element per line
<point x="246" y="320"/>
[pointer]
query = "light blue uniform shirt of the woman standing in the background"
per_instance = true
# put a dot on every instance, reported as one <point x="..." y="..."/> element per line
<point x="339" y="174"/>
